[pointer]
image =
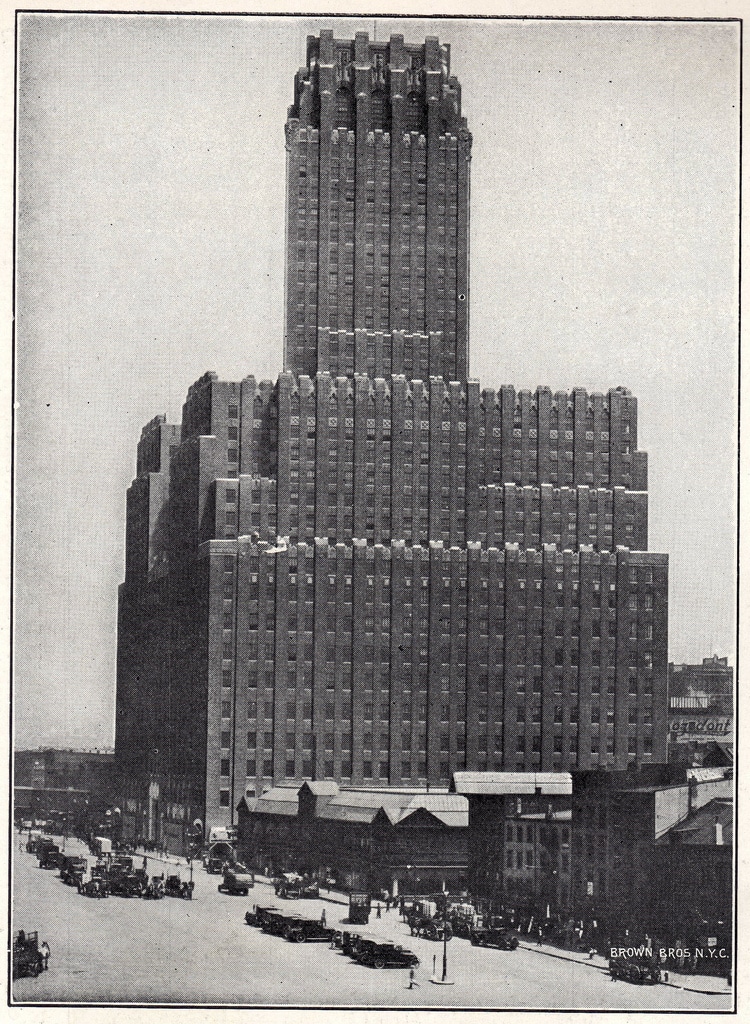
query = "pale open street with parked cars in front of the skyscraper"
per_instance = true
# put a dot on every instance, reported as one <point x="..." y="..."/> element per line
<point x="201" y="952"/>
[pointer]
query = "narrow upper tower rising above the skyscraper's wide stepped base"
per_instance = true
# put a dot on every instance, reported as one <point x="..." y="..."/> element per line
<point x="378" y="211"/>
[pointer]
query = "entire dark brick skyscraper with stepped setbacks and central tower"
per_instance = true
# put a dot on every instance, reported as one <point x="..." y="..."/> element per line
<point x="371" y="570"/>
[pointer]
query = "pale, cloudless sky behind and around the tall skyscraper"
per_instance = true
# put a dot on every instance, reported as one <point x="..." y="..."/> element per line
<point x="150" y="232"/>
